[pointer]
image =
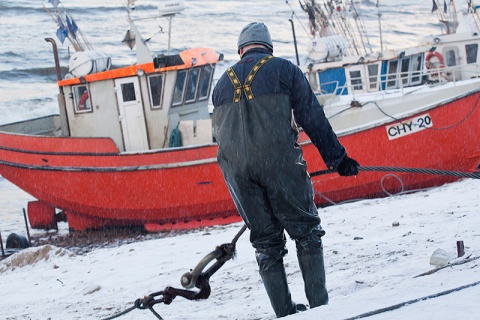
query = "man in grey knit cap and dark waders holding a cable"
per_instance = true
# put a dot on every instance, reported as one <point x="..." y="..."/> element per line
<point x="257" y="104"/>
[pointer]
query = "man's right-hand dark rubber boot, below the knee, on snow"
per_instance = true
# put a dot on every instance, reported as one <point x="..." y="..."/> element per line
<point x="313" y="273"/>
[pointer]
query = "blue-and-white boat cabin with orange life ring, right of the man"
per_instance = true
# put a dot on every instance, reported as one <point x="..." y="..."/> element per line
<point x="442" y="58"/>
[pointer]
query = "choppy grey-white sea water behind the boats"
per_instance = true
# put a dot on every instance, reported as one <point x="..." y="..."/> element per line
<point x="27" y="70"/>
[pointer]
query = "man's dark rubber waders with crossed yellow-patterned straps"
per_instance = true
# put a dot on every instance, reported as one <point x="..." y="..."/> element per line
<point x="266" y="175"/>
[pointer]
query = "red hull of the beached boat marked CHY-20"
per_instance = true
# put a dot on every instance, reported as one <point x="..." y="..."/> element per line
<point x="183" y="188"/>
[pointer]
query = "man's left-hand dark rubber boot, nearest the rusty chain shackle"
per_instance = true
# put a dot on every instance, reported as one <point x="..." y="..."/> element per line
<point x="275" y="282"/>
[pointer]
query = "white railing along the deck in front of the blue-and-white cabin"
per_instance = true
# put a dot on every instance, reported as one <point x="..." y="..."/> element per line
<point x="383" y="84"/>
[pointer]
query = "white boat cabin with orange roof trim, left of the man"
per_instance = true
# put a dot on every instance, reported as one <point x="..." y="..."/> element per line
<point x="140" y="106"/>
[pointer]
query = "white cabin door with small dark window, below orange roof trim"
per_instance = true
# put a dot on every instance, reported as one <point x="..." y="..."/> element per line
<point x="132" y="116"/>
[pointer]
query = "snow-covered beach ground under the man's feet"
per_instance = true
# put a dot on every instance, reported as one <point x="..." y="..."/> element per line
<point x="374" y="249"/>
